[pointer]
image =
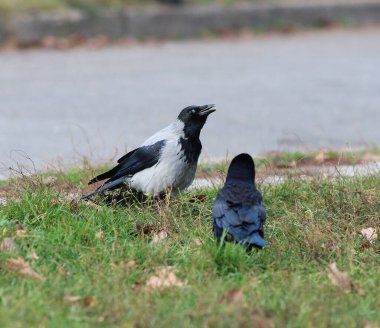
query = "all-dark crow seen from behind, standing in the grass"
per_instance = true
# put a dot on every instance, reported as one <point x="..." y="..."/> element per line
<point x="238" y="209"/>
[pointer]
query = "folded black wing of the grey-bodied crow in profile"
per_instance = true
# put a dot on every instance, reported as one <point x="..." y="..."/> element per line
<point x="135" y="161"/>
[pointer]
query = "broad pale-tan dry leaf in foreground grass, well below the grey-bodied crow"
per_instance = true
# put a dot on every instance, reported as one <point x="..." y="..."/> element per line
<point x="165" y="278"/>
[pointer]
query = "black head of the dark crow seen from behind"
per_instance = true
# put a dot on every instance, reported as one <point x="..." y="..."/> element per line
<point x="242" y="168"/>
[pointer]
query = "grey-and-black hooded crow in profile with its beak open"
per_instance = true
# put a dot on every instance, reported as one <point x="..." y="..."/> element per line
<point x="167" y="160"/>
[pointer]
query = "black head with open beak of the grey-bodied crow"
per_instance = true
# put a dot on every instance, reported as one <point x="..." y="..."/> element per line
<point x="194" y="117"/>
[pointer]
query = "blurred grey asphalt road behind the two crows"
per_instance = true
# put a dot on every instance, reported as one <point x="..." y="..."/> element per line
<point x="275" y="92"/>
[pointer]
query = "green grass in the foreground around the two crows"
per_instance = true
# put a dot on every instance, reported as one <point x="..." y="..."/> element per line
<point x="310" y="224"/>
